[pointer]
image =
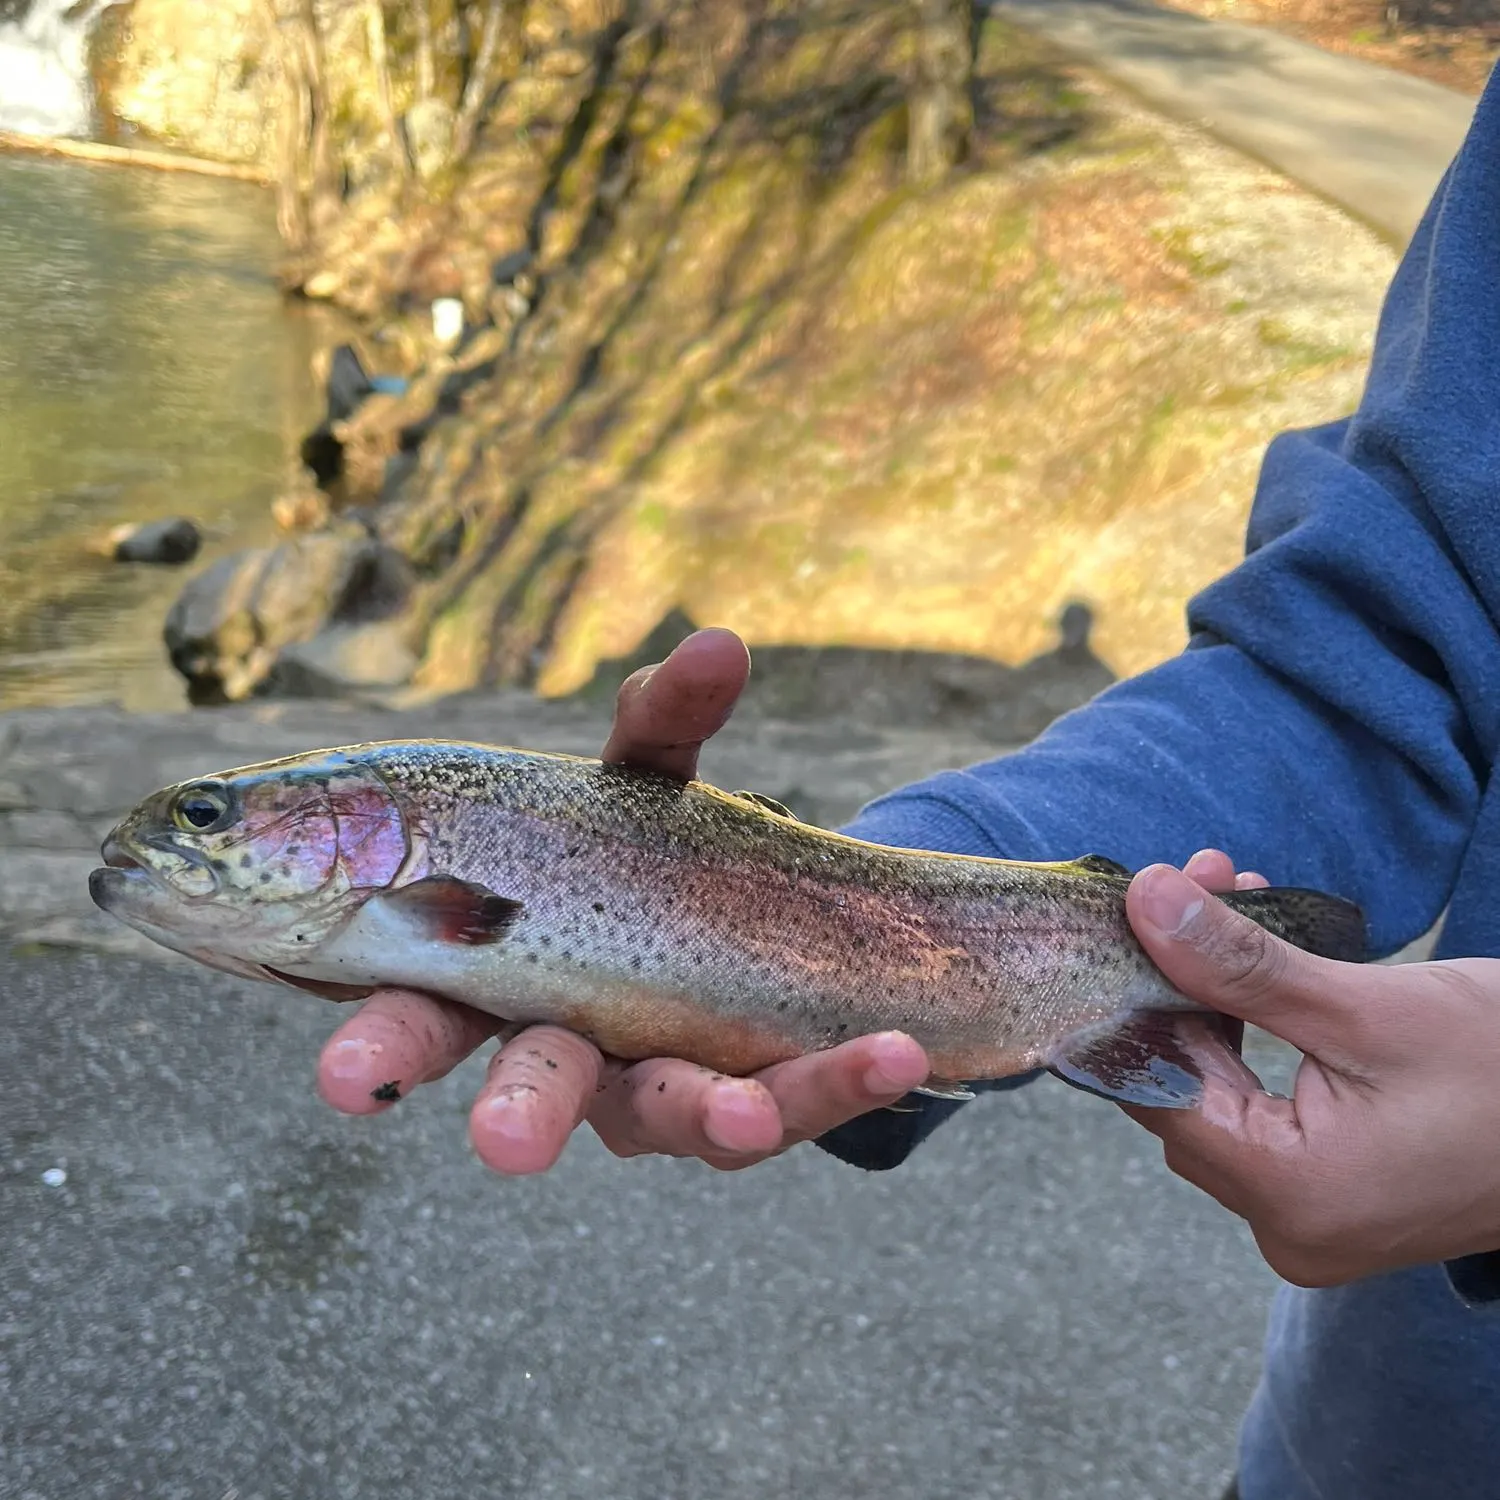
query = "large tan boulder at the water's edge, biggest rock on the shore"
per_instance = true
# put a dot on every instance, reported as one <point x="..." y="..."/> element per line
<point x="230" y="626"/>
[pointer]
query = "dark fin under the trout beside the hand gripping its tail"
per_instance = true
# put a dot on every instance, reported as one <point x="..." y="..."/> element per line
<point x="1154" y="1058"/>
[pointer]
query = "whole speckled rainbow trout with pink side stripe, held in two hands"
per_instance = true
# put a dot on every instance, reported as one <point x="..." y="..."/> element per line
<point x="667" y="919"/>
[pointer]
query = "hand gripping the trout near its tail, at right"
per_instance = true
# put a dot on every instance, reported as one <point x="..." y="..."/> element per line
<point x="1384" y="1157"/>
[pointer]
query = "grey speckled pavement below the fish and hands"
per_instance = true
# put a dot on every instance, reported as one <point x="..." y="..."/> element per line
<point x="238" y="1295"/>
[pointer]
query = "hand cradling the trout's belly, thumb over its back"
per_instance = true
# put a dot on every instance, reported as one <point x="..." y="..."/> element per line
<point x="545" y="1082"/>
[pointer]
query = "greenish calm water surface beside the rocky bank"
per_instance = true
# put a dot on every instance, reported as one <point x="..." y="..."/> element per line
<point x="149" y="368"/>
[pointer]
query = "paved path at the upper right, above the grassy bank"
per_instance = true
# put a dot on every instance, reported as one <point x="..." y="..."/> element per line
<point x="1372" y="140"/>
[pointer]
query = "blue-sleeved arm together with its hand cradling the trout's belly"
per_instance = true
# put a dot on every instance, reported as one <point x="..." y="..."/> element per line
<point x="1331" y="724"/>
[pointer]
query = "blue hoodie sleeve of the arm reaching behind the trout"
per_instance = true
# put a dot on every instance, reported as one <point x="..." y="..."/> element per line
<point x="1334" y="718"/>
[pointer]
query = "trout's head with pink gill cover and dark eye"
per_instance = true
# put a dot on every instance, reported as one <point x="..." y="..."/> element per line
<point x="254" y="868"/>
